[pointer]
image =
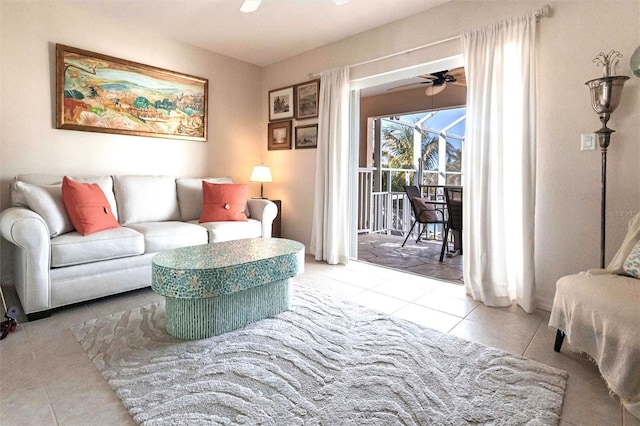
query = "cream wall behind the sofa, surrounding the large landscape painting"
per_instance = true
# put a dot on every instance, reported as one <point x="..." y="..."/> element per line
<point x="30" y="143"/>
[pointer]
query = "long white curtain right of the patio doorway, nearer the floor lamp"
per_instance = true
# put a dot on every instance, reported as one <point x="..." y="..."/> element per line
<point x="499" y="163"/>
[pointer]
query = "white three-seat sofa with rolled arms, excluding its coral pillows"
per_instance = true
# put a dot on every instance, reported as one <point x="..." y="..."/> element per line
<point x="54" y="266"/>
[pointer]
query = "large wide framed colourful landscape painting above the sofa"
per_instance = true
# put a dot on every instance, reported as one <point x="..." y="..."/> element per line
<point x="100" y="93"/>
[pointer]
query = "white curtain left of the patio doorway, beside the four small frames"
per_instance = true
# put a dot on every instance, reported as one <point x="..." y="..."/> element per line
<point x="330" y="227"/>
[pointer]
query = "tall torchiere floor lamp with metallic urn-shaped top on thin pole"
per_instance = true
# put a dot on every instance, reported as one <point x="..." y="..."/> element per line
<point x="605" y="98"/>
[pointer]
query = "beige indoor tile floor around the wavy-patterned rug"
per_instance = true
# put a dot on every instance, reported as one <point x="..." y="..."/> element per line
<point x="47" y="379"/>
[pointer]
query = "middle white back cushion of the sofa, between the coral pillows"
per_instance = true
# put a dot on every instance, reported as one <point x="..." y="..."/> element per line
<point x="146" y="198"/>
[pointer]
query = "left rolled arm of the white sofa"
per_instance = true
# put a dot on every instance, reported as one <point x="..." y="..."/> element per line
<point x="29" y="233"/>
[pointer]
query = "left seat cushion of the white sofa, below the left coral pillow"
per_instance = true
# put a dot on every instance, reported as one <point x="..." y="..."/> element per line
<point x="74" y="249"/>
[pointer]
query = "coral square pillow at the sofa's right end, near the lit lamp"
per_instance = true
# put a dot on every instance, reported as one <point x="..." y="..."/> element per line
<point x="223" y="202"/>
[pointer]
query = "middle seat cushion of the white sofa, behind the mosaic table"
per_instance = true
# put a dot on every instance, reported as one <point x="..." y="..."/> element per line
<point x="160" y="236"/>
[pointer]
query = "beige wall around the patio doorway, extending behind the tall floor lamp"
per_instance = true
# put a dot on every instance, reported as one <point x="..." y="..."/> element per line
<point x="568" y="183"/>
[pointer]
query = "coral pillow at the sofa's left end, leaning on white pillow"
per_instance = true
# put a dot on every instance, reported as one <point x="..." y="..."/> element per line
<point x="87" y="207"/>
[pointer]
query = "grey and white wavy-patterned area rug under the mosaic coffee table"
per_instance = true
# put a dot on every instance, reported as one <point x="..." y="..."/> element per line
<point x="324" y="362"/>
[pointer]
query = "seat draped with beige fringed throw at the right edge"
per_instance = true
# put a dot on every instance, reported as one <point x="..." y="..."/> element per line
<point x="599" y="313"/>
